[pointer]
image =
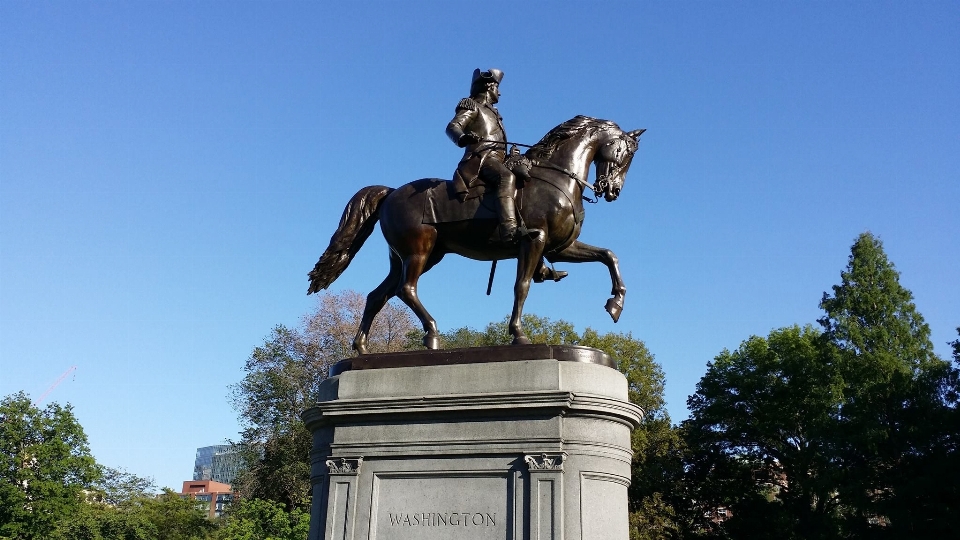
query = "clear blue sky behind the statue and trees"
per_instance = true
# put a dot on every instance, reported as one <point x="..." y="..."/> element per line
<point x="170" y="171"/>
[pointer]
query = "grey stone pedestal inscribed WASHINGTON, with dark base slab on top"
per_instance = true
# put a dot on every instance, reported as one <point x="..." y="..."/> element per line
<point x="518" y="443"/>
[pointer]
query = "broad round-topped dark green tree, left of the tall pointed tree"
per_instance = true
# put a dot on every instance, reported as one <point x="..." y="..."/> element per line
<point x="762" y="422"/>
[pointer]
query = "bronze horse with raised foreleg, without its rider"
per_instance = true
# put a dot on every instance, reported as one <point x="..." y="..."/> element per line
<point x="424" y="220"/>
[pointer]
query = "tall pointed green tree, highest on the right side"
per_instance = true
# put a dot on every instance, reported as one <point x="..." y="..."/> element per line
<point x="894" y="385"/>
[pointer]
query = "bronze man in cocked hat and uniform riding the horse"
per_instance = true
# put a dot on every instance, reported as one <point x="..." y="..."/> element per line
<point x="477" y="127"/>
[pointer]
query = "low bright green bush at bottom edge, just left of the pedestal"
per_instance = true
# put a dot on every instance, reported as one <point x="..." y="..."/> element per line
<point x="256" y="519"/>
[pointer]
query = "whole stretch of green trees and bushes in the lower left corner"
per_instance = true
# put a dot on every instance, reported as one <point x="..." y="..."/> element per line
<point x="52" y="489"/>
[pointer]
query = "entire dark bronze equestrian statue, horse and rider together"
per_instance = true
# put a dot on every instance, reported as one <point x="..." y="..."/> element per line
<point x="536" y="218"/>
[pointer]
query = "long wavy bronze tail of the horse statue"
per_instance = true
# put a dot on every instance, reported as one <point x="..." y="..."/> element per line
<point x="356" y="224"/>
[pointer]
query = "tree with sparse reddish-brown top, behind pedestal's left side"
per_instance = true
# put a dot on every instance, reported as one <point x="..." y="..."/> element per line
<point x="282" y="379"/>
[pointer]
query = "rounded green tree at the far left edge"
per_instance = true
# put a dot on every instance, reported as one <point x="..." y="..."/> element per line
<point x="45" y="465"/>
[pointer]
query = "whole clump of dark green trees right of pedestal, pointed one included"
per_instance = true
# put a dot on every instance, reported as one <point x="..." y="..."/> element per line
<point x="844" y="434"/>
